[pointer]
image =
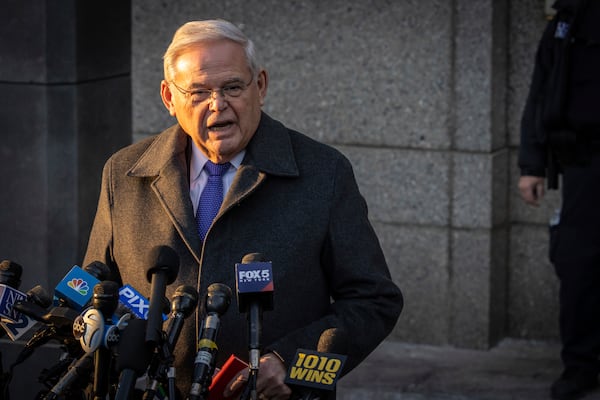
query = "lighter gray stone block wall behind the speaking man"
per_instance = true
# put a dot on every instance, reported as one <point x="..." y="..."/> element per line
<point x="424" y="98"/>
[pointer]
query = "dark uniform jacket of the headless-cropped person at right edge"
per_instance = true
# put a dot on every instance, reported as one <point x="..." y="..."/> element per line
<point x="562" y="106"/>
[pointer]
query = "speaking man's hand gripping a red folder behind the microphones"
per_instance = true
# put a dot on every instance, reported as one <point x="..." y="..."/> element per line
<point x="270" y="383"/>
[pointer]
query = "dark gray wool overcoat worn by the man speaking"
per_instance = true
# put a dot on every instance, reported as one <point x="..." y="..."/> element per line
<point x="294" y="200"/>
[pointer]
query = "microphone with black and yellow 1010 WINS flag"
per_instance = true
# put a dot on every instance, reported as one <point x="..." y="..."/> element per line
<point x="312" y="375"/>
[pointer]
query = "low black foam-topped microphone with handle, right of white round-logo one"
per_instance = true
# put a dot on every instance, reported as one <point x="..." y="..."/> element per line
<point x="133" y="357"/>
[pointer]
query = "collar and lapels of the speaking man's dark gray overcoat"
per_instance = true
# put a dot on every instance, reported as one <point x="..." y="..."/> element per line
<point x="269" y="152"/>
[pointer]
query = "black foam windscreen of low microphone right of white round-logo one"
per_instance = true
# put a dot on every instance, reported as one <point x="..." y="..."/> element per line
<point x="133" y="352"/>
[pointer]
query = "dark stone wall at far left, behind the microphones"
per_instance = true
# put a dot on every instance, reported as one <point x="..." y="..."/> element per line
<point x="65" y="78"/>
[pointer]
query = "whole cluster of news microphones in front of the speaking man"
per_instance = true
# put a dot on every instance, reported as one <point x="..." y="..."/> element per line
<point x="116" y="342"/>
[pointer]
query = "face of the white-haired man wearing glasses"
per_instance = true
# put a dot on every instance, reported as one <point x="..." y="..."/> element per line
<point x="221" y="125"/>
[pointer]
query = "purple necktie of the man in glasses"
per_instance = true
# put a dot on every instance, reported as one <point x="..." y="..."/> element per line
<point x="211" y="197"/>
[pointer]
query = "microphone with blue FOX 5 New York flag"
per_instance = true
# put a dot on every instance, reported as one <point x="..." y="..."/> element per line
<point x="254" y="290"/>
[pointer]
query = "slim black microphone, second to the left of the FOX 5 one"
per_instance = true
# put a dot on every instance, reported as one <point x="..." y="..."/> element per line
<point x="183" y="304"/>
